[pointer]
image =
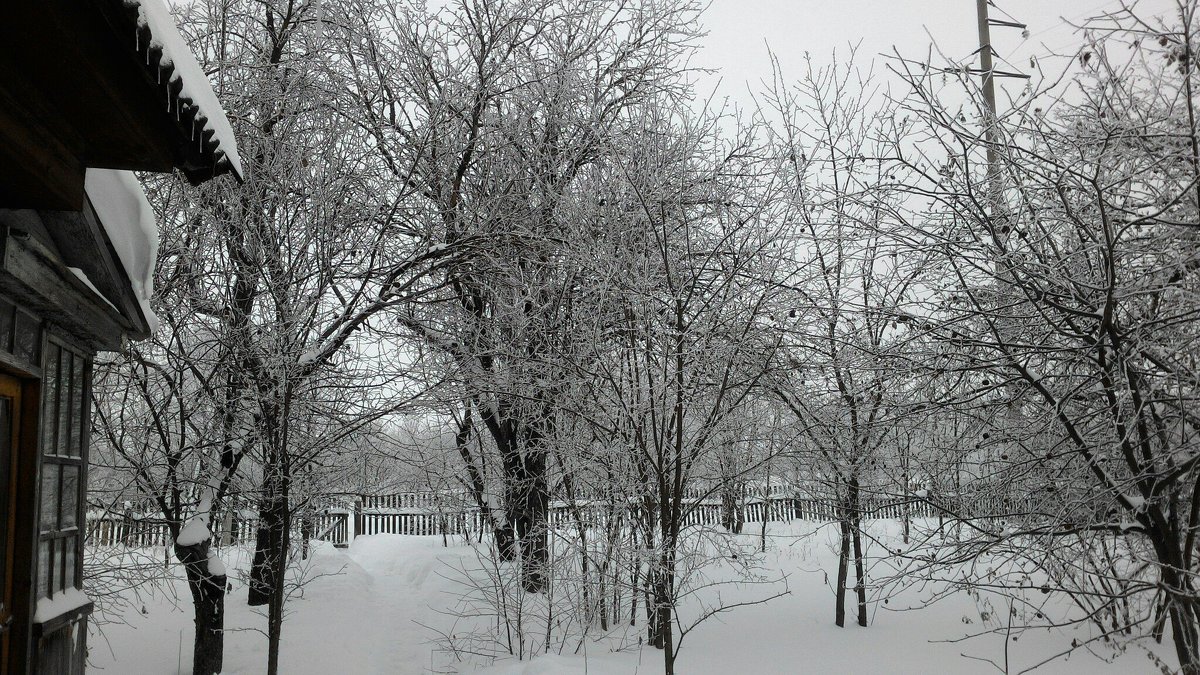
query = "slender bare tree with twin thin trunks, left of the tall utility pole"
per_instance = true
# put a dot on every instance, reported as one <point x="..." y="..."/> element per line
<point x="844" y="377"/>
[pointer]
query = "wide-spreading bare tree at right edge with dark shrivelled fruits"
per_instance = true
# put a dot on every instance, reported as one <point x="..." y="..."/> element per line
<point x="1066" y="318"/>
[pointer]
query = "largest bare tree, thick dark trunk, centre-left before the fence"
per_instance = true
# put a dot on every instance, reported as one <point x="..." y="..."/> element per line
<point x="490" y="112"/>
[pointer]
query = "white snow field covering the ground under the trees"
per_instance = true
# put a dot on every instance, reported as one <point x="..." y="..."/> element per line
<point x="381" y="606"/>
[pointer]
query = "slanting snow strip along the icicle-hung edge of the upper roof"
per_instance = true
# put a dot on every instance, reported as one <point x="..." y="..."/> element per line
<point x="155" y="16"/>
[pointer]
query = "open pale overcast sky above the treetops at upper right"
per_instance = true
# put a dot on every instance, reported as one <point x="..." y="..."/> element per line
<point x="740" y="32"/>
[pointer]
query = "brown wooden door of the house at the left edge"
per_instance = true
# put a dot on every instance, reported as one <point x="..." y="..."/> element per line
<point x="10" y="408"/>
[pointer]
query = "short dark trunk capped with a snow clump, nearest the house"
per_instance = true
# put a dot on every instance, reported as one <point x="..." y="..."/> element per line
<point x="208" y="601"/>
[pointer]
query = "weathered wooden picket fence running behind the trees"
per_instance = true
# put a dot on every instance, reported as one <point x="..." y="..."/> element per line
<point x="343" y="518"/>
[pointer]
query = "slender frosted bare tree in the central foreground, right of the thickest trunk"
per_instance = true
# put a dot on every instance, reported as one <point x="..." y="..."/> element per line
<point x="694" y="276"/>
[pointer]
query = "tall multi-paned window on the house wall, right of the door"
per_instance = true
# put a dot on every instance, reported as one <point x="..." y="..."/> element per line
<point x="63" y="437"/>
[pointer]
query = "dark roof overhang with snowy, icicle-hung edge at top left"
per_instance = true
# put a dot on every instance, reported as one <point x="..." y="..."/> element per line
<point x="100" y="83"/>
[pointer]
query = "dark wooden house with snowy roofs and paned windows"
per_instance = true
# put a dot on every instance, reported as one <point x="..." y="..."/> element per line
<point x="89" y="92"/>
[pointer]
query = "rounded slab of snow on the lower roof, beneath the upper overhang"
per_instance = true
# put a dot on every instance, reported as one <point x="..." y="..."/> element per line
<point x="128" y="219"/>
